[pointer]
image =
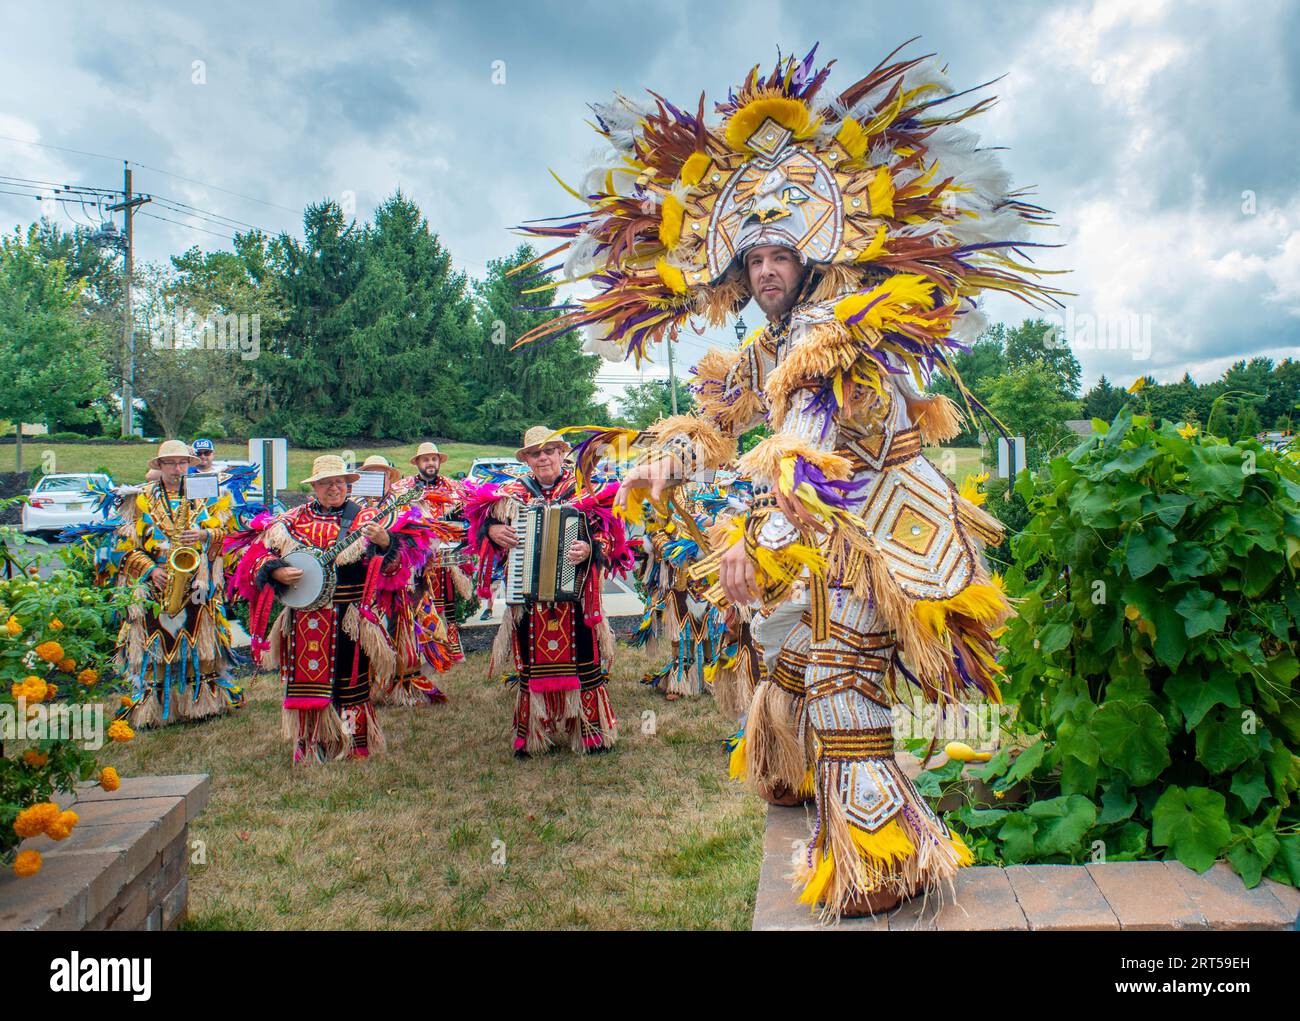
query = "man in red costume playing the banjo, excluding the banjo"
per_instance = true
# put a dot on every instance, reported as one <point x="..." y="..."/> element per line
<point x="327" y="656"/>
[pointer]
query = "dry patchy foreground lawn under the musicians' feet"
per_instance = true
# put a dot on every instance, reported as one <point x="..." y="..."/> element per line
<point x="652" y="836"/>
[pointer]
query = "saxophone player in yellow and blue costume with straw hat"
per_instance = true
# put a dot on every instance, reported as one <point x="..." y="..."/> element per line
<point x="175" y="644"/>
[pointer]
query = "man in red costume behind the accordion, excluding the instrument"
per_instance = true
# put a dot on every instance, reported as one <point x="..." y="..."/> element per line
<point x="562" y="650"/>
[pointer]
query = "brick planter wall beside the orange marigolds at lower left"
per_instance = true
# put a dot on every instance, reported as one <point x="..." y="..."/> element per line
<point x="125" y="866"/>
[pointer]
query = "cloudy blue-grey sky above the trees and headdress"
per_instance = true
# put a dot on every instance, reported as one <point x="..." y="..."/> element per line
<point x="1165" y="136"/>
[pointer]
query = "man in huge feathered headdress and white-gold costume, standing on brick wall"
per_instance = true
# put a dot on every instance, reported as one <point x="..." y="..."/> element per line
<point x="864" y="227"/>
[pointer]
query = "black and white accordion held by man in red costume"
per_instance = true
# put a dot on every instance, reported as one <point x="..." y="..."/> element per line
<point x="539" y="569"/>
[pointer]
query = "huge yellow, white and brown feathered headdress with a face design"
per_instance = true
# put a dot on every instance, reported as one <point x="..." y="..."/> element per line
<point x="878" y="181"/>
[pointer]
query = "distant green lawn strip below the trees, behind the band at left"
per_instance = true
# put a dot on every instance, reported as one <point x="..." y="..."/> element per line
<point x="128" y="462"/>
